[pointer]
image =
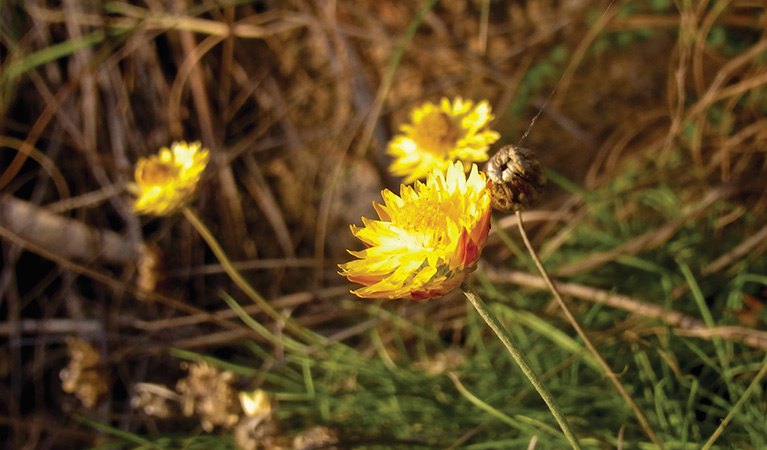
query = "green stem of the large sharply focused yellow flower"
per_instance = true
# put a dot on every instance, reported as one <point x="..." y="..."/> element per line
<point x="522" y="362"/>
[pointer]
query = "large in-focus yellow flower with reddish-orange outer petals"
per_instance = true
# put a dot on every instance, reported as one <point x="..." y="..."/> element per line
<point x="427" y="239"/>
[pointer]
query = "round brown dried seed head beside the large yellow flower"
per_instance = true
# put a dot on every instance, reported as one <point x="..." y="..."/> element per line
<point x="517" y="176"/>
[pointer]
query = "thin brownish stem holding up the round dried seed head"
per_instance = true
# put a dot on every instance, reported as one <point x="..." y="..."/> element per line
<point x="610" y="374"/>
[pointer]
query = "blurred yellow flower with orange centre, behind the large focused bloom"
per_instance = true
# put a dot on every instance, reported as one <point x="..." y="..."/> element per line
<point x="440" y="134"/>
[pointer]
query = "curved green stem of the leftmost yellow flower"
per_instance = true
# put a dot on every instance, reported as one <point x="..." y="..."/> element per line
<point x="240" y="281"/>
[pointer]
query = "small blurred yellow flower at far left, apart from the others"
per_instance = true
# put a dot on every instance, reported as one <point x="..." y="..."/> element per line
<point x="164" y="182"/>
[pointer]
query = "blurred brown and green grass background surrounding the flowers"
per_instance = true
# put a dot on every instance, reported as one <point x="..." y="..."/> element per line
<point x="650" y="117"/>
